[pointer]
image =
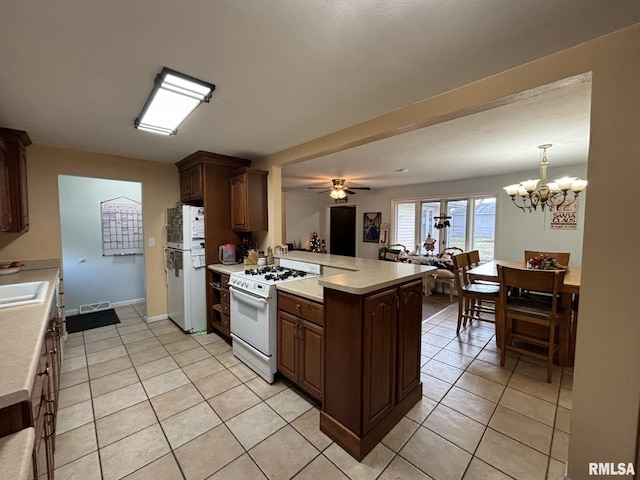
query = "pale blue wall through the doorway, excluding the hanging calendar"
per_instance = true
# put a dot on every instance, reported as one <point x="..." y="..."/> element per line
<point x="90" y="277"/>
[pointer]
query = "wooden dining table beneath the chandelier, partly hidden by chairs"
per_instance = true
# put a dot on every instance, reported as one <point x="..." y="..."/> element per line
<point x="569" y="290"/>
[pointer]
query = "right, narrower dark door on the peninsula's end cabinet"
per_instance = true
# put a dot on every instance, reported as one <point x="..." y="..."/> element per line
<point x="409" y="334"/>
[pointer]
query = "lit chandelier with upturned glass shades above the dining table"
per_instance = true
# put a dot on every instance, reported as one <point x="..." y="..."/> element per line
<point x="559" y="193"/>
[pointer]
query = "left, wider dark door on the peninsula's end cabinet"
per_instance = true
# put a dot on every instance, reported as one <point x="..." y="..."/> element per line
<point x="380" y="326"/>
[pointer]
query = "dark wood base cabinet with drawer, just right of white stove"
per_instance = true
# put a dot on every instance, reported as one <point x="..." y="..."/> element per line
<point x="300" y="332"/>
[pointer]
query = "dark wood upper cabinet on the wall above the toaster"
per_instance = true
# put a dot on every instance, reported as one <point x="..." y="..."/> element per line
<point x="249" y="200"/>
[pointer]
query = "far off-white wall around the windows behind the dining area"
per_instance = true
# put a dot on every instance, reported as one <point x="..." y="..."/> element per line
<point x="516" y="231"/>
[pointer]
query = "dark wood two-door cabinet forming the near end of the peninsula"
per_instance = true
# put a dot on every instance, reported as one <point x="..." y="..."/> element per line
<point x="371" y="363"/>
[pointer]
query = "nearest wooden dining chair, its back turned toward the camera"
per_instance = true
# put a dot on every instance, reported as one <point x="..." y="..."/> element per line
<point x="531" y="322"/>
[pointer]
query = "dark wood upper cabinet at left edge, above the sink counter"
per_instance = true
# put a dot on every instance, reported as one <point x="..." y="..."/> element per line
<point x="14" y="215"/>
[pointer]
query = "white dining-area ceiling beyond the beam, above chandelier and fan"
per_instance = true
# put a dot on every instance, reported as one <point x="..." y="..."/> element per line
<point x="499" y="140"/>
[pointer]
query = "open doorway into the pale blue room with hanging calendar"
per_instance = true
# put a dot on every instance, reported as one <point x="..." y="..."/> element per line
<point x="95" y="275"/>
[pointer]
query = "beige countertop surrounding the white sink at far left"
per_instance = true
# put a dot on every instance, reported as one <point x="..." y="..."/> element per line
<point x="23" y="329"/>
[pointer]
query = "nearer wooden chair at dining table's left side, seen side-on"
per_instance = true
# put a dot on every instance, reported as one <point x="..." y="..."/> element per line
<point x="471" y="294"/>
